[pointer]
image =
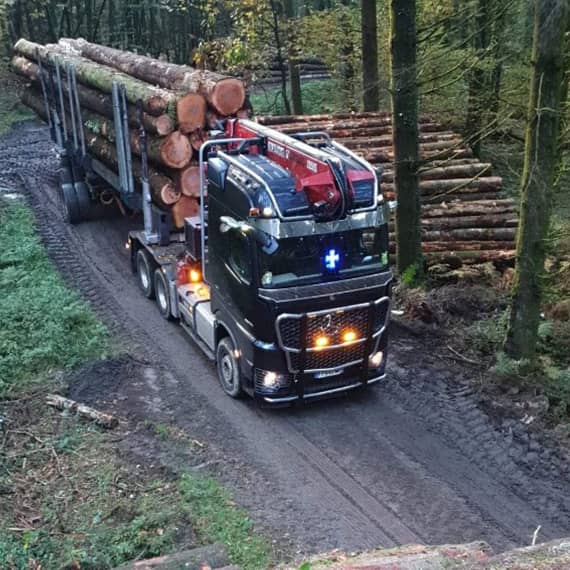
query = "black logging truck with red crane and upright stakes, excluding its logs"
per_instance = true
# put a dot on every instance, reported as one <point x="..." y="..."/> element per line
<point x="283" y="278"/>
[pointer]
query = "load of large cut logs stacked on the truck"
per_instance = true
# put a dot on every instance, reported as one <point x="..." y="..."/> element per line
<point x="180" y="104"/>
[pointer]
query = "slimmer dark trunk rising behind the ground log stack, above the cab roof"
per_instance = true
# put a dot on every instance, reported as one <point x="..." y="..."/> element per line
<point x="370" y="78"/>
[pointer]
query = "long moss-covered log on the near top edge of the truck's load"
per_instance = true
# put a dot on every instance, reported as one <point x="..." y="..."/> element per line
<point x="156" y="101"/>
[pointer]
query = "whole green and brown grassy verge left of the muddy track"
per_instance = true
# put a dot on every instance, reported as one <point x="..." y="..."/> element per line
<point x="68" y="497"/>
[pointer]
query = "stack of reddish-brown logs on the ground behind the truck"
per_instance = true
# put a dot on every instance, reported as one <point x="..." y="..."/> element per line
<point x="466" y="217"/>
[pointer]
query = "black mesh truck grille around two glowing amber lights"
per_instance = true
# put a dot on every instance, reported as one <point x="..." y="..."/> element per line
<point x="332" y="323"/>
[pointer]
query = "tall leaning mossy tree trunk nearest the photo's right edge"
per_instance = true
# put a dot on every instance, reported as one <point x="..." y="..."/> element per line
<point x="538" y="176"/>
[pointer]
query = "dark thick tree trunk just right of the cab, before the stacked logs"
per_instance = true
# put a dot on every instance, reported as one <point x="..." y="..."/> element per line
<point x="405" y="127"/>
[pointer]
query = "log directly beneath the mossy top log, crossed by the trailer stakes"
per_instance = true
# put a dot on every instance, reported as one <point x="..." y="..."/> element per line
<point x="99" y="102"/>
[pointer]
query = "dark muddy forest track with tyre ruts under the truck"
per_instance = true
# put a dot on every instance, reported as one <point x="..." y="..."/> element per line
<point x="413" y="460"/>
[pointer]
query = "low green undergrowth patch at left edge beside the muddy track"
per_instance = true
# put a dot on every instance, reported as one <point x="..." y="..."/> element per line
<point x="45" y="326"/>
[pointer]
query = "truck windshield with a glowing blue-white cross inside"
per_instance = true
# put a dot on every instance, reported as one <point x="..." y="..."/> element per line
<point x="310" y="259"/>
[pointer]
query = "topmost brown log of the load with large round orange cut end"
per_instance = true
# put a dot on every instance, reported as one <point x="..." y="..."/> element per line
<point x="225" y="94"/>
